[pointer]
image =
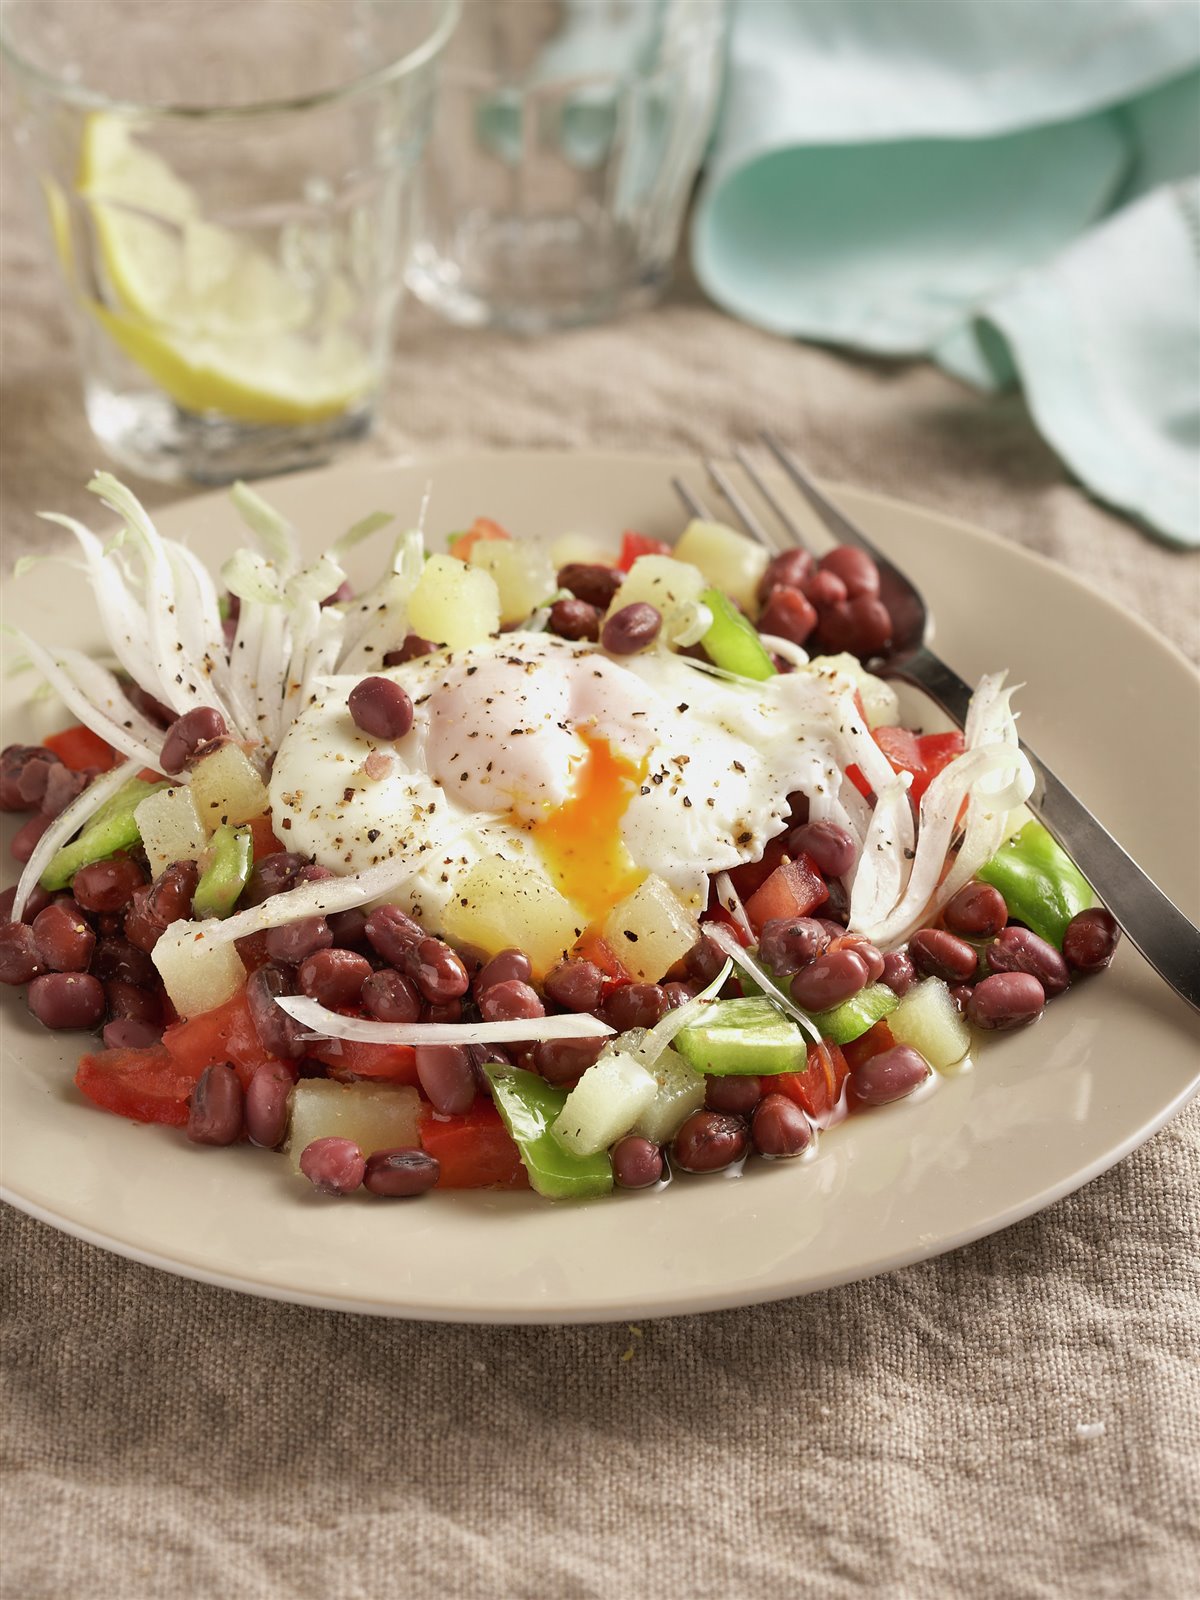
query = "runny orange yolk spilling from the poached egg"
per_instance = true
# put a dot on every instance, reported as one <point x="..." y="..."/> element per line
<point x="582" y="841"/>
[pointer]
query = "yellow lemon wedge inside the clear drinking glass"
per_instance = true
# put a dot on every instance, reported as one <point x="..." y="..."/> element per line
<point x="202" y="311"/>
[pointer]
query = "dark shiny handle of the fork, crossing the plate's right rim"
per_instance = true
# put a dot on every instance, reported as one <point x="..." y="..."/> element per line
<point x="1154" y="924"/>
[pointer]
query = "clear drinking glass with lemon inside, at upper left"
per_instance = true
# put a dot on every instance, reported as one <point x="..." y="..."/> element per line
<point x="230" y="190"/>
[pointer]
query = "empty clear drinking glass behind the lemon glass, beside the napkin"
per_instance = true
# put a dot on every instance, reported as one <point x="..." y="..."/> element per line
<point x="566" y="143"/>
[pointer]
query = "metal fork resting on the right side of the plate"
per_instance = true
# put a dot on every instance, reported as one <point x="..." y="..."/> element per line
<point x="1154" y="924"/>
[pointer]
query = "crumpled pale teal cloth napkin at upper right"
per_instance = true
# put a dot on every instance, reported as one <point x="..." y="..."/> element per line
<point x="1007" y="186"/>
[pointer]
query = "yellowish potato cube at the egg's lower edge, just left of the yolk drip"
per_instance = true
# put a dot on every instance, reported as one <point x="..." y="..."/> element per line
<point x="503" y="903"/>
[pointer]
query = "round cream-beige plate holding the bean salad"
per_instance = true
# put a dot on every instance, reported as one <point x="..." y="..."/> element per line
<point x="1044" y="1111"/>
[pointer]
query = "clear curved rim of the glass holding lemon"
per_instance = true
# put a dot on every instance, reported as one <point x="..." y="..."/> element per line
<point x="86" y="98"/>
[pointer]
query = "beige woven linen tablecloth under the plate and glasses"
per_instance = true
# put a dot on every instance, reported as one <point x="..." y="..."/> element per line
<point x="916" y="1436"/>
